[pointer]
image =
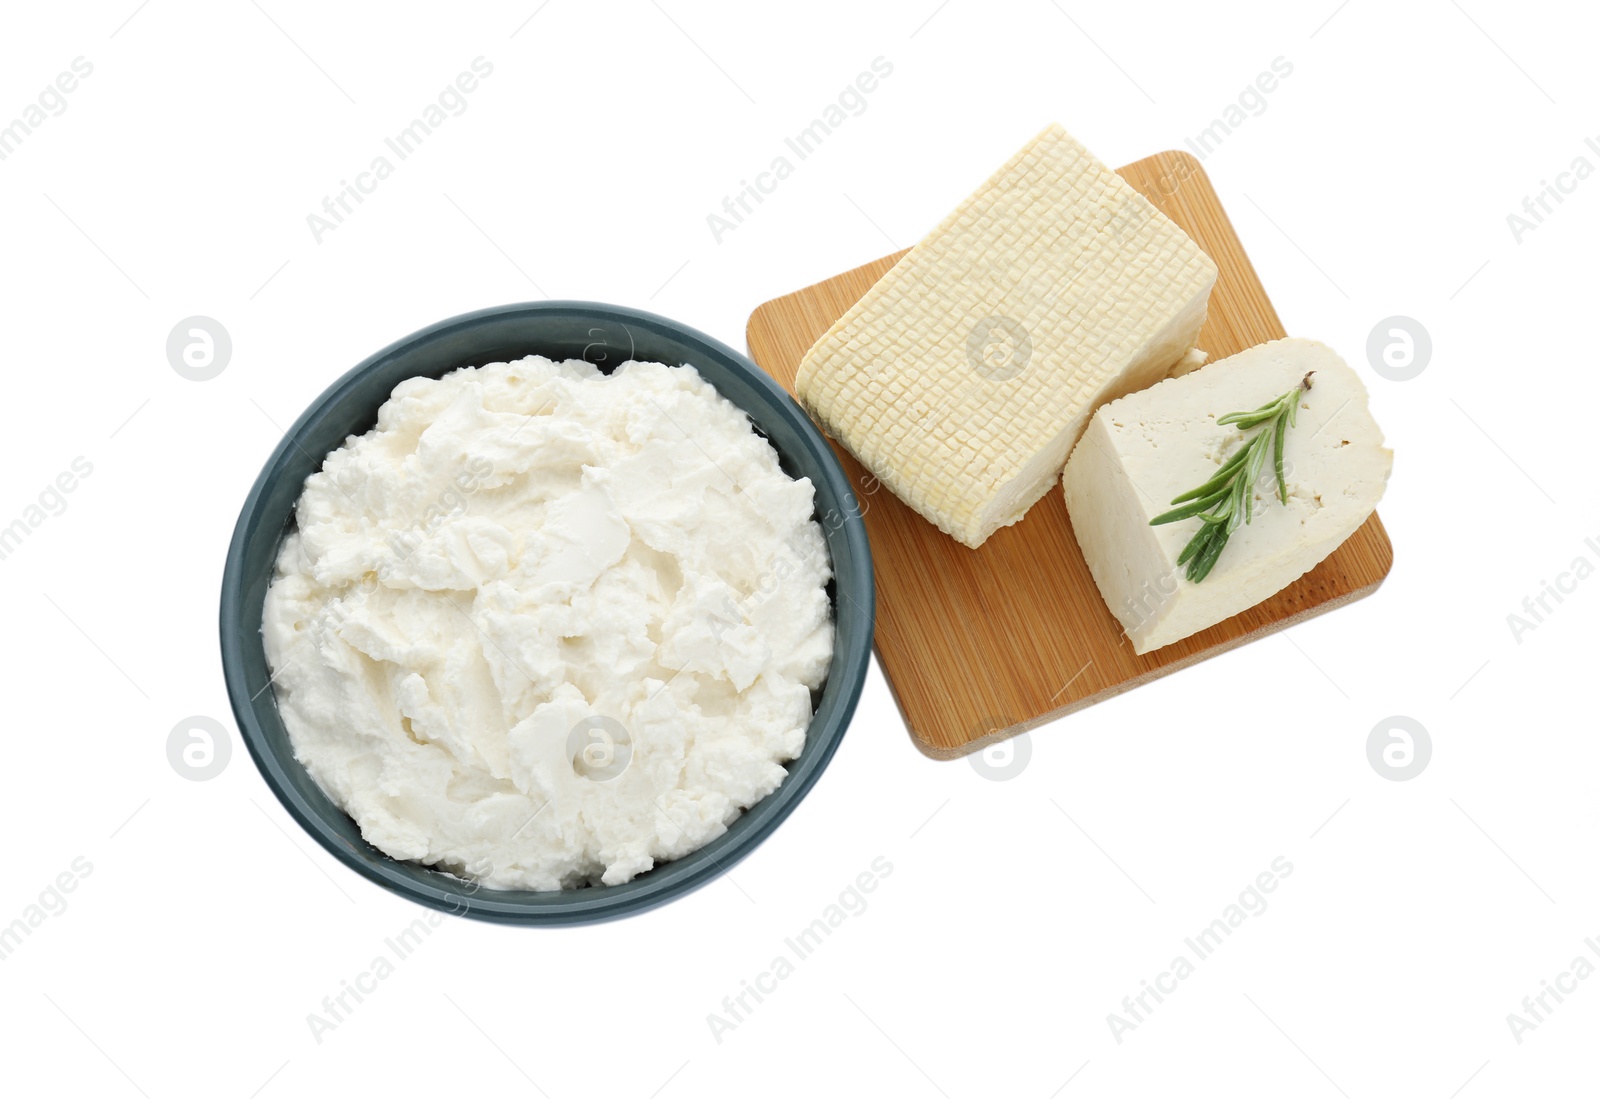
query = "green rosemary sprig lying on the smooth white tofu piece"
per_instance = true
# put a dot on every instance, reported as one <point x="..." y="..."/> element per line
<point x="1228" y="498"/>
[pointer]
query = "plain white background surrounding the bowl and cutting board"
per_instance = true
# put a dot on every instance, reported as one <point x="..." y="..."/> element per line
<point x="1018" y="914"/>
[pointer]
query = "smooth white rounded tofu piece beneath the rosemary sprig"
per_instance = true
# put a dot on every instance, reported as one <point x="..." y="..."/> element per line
<point x="1142" y="452"/>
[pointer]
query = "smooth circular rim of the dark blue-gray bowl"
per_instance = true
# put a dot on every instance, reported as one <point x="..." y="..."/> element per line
<point x="649" y="890"/>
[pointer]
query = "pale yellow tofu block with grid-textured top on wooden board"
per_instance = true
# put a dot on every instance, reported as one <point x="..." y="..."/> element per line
<point x="966" y="375"/>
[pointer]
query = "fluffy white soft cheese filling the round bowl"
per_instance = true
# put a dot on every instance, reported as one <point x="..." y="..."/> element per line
<point x="548" y="628"/>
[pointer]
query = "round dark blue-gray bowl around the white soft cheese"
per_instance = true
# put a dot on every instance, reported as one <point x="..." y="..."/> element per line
<point x="607" y="337"/>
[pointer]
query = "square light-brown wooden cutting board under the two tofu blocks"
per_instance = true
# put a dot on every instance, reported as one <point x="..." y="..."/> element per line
<point x="980" y="645"/>
